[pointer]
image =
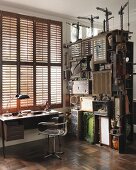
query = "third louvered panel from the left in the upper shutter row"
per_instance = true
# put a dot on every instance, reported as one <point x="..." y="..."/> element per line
<point x="41" y="42"/>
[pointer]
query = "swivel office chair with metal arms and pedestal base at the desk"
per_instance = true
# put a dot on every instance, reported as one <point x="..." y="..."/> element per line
<point x="53" y="129"/>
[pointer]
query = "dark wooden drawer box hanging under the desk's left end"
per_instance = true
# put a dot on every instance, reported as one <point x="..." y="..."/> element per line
<point x="13" y="131"/>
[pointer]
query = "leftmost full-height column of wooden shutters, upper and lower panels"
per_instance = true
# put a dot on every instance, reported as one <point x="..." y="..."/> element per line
<point x="9" y="58"/>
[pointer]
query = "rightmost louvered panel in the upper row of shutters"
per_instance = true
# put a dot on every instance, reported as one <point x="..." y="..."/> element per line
<point x="55" y="43"/>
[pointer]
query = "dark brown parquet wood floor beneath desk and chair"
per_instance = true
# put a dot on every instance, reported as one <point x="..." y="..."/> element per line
<point x="79" y="155"/>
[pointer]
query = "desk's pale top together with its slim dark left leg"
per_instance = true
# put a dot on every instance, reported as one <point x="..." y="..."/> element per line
<point x="33" y="115"/>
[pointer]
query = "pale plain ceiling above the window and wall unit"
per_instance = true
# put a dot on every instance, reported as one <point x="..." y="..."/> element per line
<point x="73" y="8"/>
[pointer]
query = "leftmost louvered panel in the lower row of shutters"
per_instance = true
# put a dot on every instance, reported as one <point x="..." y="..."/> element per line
<point x="9" y="86"/>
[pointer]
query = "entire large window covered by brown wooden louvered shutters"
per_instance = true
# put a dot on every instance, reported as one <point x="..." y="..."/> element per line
<point x="31" y="61"/>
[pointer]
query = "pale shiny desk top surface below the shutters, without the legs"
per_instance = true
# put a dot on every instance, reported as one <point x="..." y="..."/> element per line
<point x="29" y="115"/>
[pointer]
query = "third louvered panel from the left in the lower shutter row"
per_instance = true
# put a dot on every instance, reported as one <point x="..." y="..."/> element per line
<point x="41" y="85"/>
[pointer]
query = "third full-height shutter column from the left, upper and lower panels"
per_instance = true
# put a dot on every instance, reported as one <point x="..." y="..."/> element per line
<point x="42" y="53"/>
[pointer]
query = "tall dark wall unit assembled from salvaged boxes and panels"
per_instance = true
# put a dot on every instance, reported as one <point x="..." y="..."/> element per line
<point x="106" y="61"/>
